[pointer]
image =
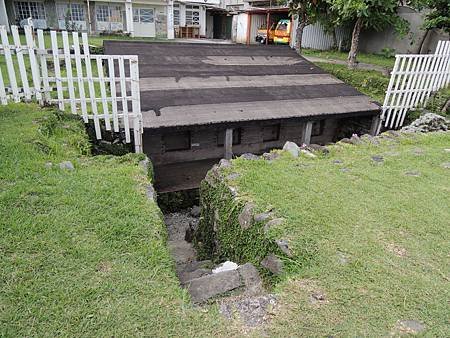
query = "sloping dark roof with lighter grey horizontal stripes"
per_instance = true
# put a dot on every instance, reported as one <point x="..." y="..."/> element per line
<point x="196" y="84"/>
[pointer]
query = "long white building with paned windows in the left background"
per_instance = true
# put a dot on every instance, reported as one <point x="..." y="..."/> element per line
<point x="140" y="18"/>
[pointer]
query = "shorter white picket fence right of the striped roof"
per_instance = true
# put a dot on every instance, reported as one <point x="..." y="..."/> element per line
<point x="413" y="78"/>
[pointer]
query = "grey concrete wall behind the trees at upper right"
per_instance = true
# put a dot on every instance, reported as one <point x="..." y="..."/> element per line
<point x="374" y="42"/>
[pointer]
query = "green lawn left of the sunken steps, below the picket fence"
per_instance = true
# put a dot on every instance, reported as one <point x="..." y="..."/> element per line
<point x="83" y="252"/>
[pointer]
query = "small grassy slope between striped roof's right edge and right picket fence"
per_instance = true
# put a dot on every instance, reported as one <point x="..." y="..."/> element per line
<point x="369" y="82"/>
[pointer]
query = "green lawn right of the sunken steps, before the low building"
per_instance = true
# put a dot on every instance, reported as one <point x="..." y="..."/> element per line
<point x="373" y="240"/>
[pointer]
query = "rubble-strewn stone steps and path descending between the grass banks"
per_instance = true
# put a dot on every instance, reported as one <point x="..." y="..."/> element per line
<point x="237" y="288"/>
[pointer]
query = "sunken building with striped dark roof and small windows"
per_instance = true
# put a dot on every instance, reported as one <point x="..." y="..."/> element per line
<point x="204" y="102"/>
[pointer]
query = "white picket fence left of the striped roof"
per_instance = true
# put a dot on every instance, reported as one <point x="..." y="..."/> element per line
<point x="101" y="88"/>
